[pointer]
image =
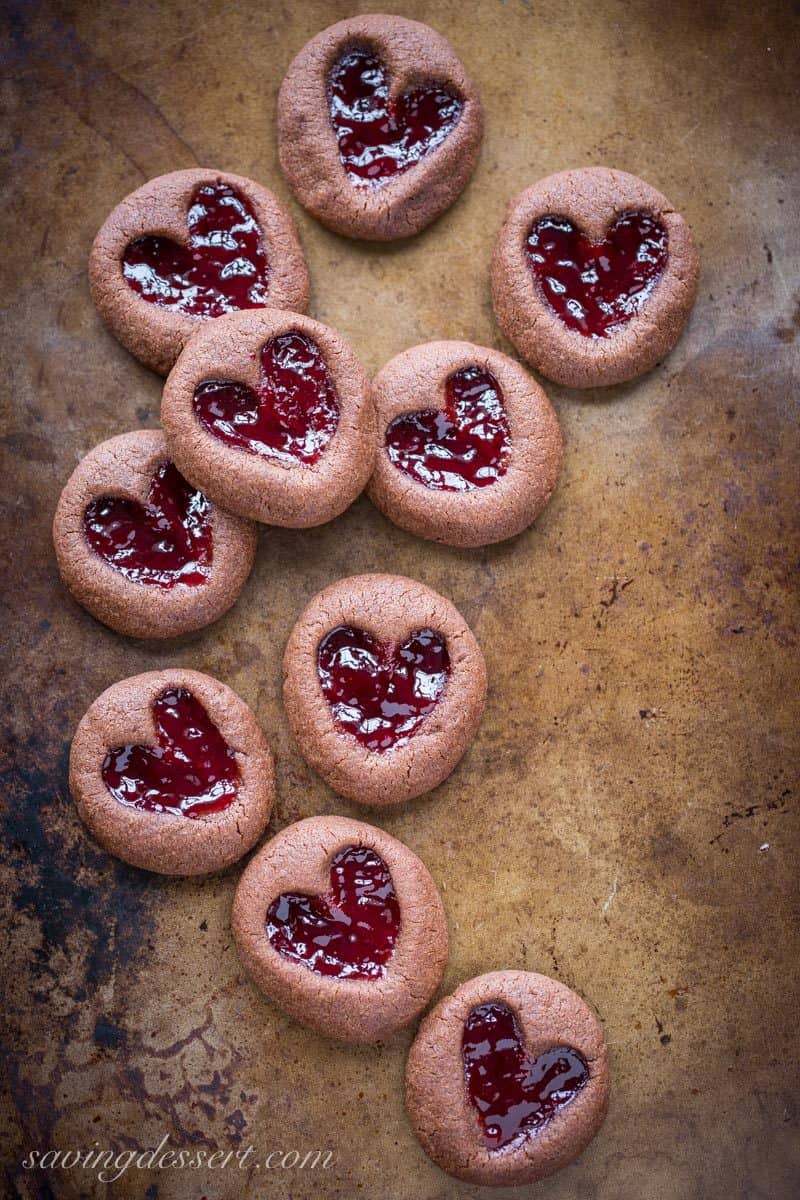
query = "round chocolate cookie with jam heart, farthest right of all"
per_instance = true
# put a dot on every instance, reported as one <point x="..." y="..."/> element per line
<point x="594" y="277"/>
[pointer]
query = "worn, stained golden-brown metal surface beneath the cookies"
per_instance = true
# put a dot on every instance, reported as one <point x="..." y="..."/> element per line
<point x="625" y="819"/>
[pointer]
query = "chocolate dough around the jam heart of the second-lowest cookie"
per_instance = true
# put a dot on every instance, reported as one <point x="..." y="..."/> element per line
<point x="298" y="862"/>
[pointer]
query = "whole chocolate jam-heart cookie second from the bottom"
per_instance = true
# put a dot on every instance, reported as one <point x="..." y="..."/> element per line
<point x="342" y="927"/>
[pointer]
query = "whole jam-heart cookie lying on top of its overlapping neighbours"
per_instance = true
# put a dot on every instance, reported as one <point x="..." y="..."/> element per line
<point x="269" y="413"/>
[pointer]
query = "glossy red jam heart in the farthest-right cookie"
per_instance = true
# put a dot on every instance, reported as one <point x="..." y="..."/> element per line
<point x="597" y="287"/>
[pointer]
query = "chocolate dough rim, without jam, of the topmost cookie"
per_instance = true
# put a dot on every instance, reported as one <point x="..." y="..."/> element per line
<point x="418" y="196"/>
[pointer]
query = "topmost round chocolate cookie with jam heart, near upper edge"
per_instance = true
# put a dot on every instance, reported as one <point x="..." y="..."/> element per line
<point x="380" y="127"/>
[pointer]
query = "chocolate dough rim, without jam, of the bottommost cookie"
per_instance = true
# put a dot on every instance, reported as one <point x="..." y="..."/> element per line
<point x="550" y="1015"/>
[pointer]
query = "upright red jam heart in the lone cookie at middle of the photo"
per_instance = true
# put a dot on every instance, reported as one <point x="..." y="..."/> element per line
<point x="382" y="692"/>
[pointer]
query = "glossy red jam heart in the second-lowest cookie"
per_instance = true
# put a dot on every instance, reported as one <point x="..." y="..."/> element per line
<point x="350" y="932"/>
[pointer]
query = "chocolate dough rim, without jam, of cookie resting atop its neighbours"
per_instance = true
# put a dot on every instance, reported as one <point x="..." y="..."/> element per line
<point x="297" y="496"/>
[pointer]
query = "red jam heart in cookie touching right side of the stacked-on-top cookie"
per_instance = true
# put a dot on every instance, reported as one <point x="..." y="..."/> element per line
<point x="462" y="447"/>
